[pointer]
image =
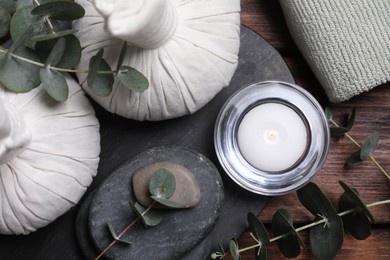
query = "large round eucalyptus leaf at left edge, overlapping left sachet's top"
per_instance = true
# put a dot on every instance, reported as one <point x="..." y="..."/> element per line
<point x="20" y="76"/>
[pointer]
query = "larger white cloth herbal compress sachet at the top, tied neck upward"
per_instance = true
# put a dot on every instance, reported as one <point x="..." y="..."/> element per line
<point x="187" y="49"/>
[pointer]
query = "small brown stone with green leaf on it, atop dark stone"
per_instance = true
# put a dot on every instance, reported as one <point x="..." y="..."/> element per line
<point x="187" y="191"/>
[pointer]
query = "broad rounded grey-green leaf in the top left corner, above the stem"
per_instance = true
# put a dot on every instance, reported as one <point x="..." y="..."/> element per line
<point x="23" y="19"/>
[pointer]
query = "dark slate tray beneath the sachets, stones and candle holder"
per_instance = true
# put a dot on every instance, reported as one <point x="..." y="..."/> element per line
<point x="122" y="139"/>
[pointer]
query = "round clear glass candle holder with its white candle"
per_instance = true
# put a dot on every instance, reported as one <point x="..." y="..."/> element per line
<point x="271" y="137"/>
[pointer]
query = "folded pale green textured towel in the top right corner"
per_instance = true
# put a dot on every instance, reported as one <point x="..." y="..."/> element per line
<point x="345" y="42"/>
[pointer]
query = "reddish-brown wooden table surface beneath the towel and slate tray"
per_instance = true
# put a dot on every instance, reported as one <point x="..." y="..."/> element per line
<point x="373" y="114"/>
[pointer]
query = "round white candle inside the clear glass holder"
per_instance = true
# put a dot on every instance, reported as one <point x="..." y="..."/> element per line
<point x="272" y="137"/>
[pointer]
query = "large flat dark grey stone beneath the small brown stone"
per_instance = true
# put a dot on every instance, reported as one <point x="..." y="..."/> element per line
<point x="180" y="230"/>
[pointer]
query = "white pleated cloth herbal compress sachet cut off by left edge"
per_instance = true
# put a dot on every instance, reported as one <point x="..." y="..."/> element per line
<point x="49" y="153"/>
